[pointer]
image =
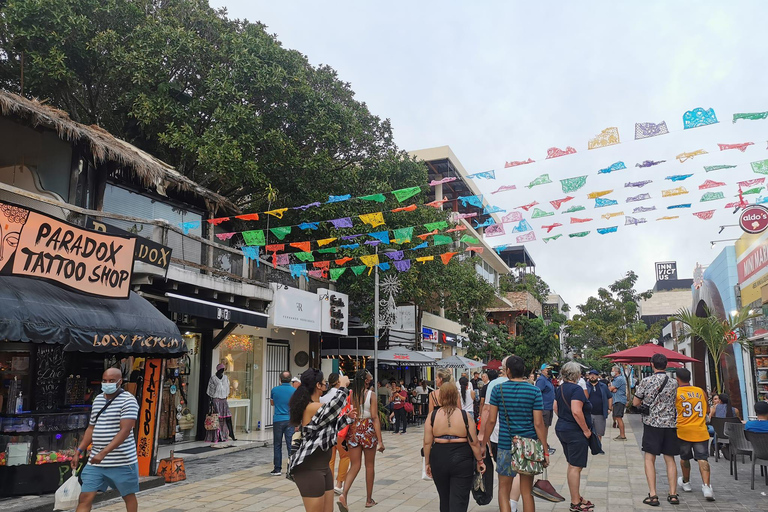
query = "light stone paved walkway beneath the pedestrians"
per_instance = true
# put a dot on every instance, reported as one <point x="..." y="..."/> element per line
<point x="615" y="482"/>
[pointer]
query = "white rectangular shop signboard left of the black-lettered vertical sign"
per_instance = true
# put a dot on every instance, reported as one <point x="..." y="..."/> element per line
<point x="295" y="309"/>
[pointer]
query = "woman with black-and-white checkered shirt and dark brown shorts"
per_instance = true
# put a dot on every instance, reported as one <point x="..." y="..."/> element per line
<point x="319" y="425"/>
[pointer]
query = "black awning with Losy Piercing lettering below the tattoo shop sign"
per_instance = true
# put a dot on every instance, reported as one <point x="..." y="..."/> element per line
<point x="32" y="310"/>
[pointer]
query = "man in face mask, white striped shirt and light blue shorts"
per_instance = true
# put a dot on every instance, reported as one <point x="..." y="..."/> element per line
<point x="113" y="461"/>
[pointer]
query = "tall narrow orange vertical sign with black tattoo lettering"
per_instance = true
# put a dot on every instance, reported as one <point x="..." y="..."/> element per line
<point x="147" y="423"/>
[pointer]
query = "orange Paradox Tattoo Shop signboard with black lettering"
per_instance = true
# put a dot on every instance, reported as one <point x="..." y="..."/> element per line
<point x="41" y="246"/>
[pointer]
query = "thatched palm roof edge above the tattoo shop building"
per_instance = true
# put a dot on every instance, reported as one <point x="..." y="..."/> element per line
<point x="107" y="148"/>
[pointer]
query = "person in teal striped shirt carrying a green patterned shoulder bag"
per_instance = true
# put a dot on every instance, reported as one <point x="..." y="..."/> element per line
<point x="518" y="406"/>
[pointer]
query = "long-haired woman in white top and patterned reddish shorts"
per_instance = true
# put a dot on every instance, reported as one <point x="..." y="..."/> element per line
<point x="363" y="438"/>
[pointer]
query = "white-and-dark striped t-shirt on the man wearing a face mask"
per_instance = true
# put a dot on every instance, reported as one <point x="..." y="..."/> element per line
<point x="106" y="429"/>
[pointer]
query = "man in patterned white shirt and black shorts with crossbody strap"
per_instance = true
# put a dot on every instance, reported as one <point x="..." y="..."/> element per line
<point x="658" y="394"/>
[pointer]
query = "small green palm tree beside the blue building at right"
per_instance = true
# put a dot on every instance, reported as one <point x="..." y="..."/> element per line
<point x="715" y="333"/>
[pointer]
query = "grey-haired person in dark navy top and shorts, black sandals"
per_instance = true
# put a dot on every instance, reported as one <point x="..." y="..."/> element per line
<point x="573" y="429"/>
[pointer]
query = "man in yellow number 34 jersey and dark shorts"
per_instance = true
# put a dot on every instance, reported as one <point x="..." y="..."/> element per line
<point x="692" y="432"/>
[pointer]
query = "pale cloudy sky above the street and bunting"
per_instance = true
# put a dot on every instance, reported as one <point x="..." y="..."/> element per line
<point x="502" y="81"/>
